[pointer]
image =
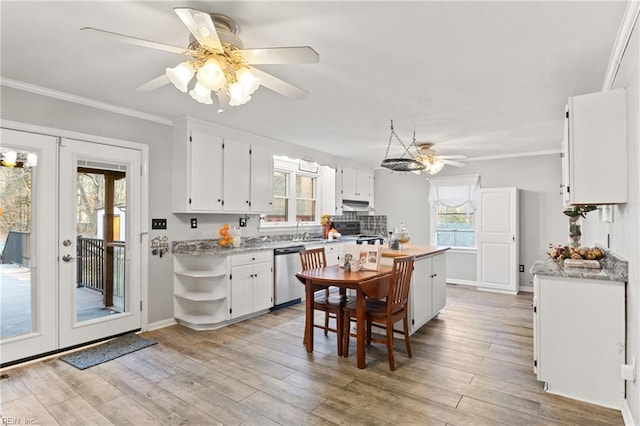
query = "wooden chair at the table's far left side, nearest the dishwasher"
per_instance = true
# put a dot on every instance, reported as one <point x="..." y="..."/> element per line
<point x="325" y="300"/>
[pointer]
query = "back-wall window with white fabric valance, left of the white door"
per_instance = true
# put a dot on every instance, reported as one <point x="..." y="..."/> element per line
<point x="452" y="201"/>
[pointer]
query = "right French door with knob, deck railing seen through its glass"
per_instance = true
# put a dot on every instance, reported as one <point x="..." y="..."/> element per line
<point x="99" y="241"/>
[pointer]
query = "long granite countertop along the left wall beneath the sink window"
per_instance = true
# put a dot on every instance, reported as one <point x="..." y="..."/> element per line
<point x="211" y="247"/>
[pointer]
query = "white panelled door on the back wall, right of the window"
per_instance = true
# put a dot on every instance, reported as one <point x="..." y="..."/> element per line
<point x="497" y="225"/>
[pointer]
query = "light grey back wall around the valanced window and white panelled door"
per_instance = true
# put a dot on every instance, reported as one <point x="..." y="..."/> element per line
<point x="405" y="198"/>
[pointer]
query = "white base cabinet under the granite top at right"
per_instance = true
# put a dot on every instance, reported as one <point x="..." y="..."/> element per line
<point x="579" y="338"/>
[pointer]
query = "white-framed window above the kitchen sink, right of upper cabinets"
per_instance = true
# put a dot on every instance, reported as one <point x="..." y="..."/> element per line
<point x="294" y="195"/>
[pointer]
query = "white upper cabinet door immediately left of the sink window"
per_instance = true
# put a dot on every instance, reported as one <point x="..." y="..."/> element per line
<point x="261" y="180"/>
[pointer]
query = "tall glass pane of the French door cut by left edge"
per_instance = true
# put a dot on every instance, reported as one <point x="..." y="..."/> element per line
<point x="17" y="292"/>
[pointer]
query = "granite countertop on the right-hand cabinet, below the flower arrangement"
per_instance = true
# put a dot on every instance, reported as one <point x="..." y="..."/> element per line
<point x="613" y="268"/>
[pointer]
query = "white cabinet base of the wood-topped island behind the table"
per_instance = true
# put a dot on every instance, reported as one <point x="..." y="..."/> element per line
<point x="428" y="293"/>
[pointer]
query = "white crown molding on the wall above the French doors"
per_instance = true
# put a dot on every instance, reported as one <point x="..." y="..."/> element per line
<point x="38" y="90"/>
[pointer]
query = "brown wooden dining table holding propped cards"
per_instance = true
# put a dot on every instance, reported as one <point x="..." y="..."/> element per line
<point x="374" y="284"/>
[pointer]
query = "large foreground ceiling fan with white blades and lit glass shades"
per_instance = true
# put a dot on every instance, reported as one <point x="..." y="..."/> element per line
<point x="219" y="61"/>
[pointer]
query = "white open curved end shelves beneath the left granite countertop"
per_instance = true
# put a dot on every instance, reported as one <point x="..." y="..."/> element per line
<point x="201" y="289"/>
